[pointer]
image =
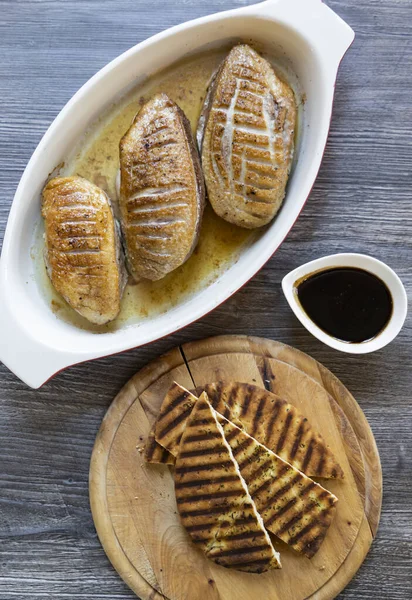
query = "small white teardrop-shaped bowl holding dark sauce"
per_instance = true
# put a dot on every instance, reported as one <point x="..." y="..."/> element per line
<point x="360" y="261"/>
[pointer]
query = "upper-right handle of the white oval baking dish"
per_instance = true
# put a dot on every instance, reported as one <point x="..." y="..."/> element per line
<point x="328" y="34"/>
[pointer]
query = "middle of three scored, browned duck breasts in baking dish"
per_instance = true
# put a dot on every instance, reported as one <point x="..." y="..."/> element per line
<point x="161" y="189"/>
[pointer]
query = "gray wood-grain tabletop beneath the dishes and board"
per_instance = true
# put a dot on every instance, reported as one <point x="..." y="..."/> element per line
<point x="361" y="202"/>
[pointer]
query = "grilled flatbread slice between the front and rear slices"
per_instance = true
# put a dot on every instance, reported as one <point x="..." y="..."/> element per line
<point x="292" y="506"/>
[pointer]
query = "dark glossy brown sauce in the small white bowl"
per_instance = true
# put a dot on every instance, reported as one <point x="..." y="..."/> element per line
<point x="349" y="304"/>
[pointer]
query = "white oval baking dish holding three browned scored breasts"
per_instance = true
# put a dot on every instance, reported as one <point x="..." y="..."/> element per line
<point x="34" y="344"/>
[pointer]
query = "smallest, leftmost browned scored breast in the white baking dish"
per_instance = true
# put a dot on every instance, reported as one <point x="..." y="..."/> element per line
<point x="83" y="253"/>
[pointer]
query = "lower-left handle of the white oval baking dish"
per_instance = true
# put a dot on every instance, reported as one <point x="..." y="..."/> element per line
<point x="30" y="359"/>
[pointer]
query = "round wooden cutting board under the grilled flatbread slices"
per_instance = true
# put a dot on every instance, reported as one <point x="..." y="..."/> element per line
<point x="134" y="506"/>
